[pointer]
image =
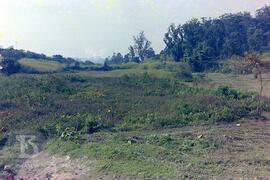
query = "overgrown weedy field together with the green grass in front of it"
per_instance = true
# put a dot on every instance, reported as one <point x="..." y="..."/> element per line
<point x="116" y="118"/>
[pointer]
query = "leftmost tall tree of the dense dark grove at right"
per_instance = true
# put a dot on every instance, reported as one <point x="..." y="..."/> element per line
<point x="174" y="40"/>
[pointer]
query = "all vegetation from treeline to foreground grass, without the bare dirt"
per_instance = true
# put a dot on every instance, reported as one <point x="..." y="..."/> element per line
<point x="117" y="112"/>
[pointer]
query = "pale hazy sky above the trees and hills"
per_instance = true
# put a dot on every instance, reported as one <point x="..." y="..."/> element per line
<point x="85" y="28"/>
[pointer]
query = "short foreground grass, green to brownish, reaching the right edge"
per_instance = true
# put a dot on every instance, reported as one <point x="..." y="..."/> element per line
<point x="201" y="152"/>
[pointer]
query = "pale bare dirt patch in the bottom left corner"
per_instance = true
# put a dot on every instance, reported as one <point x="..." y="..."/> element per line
<point x="43" y="166"/>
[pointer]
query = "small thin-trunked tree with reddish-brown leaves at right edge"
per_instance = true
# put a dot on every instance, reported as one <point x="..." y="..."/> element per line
<point x="254" y="63"/>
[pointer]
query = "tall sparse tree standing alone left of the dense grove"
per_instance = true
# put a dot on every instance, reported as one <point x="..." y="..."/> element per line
<point x="141" y="47"/>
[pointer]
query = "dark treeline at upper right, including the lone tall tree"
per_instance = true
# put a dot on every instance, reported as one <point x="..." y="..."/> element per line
<point x="203" y="42"/>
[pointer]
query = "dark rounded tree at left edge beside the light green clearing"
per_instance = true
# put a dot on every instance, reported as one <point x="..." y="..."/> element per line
<point x="9" y="66"/>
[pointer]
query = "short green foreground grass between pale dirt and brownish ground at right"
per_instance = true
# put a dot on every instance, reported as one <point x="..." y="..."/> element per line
<point x="152" y="156"/>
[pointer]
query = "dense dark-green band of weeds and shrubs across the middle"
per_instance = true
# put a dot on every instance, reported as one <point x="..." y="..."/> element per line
<point x="52" y="103"/>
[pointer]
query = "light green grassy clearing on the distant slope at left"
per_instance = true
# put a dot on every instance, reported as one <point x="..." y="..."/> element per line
<point x="41" y="65"/>
